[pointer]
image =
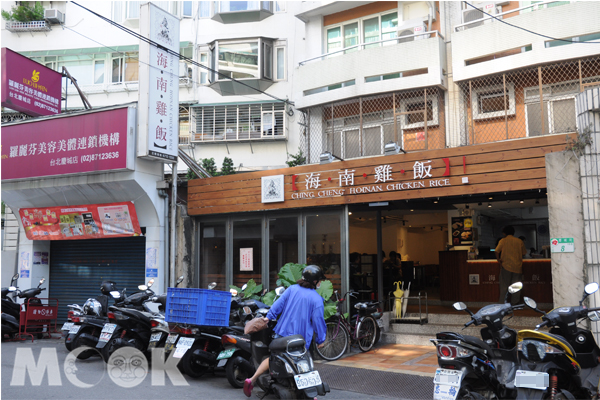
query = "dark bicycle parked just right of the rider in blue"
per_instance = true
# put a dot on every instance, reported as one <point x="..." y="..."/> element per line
<point x="341" y="332"/>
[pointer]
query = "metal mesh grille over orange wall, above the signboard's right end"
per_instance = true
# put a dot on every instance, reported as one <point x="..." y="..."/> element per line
<point x="524" y="103"/>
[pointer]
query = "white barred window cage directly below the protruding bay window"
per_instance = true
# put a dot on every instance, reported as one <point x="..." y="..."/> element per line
<point x="257" y="121"/>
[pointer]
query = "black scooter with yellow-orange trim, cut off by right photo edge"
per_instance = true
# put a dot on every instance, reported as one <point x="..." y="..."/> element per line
<point x="561" y="363"/>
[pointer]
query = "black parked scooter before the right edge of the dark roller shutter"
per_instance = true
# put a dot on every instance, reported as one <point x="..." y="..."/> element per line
<point x="127" y="327"/>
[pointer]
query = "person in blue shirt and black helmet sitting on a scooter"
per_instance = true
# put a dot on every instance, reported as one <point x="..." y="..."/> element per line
<point x="301" y="312"/>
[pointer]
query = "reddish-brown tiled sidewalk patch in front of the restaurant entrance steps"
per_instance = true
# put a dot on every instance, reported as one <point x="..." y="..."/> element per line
<point x="399" y="358"/>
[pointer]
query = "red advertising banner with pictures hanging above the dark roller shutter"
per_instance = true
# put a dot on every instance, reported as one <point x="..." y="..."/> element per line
<point x="92" y="221"/>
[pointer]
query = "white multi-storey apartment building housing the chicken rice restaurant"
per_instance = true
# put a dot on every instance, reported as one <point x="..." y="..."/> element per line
<point x="442" y="115"/>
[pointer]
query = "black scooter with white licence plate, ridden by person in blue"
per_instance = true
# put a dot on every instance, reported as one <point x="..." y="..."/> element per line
<point x="291" y="372"/>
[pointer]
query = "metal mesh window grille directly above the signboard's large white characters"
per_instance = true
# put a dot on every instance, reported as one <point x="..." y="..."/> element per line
<point x="361" y="127"/>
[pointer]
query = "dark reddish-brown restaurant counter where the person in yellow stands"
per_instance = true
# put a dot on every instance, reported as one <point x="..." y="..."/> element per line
<point x="479" y="280"/>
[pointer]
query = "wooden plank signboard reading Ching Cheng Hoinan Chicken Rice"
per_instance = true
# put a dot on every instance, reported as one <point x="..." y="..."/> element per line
<point x="493" y="167"/>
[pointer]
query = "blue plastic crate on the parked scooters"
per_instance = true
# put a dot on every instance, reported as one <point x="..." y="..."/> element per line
<point x="198" y="306"/>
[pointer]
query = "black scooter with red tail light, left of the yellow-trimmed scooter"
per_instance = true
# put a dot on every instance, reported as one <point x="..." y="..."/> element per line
<point x="472" y="368"/>
